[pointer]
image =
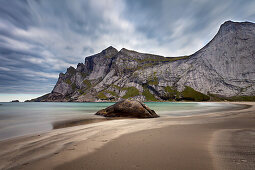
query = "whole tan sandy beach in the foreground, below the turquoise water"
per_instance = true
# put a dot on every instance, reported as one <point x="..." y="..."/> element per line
<point x="220" y="140"/>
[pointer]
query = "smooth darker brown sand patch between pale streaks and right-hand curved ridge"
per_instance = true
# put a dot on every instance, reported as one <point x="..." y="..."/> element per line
<point x="175" y="147"/>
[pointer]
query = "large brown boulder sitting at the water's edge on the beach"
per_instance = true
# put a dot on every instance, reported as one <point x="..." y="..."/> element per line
<point x="128" y="108"/>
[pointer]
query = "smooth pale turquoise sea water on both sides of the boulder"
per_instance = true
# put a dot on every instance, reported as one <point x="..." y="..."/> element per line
<point x="17" y="119"/>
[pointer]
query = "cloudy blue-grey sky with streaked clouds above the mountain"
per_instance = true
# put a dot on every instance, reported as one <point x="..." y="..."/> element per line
<point x="41" y="38"/>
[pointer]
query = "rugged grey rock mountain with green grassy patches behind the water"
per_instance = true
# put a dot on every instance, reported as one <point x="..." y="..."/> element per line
<point x="223" y="69"/>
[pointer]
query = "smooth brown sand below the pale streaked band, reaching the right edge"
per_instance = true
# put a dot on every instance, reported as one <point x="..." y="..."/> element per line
<point x="216" y="145"/>
